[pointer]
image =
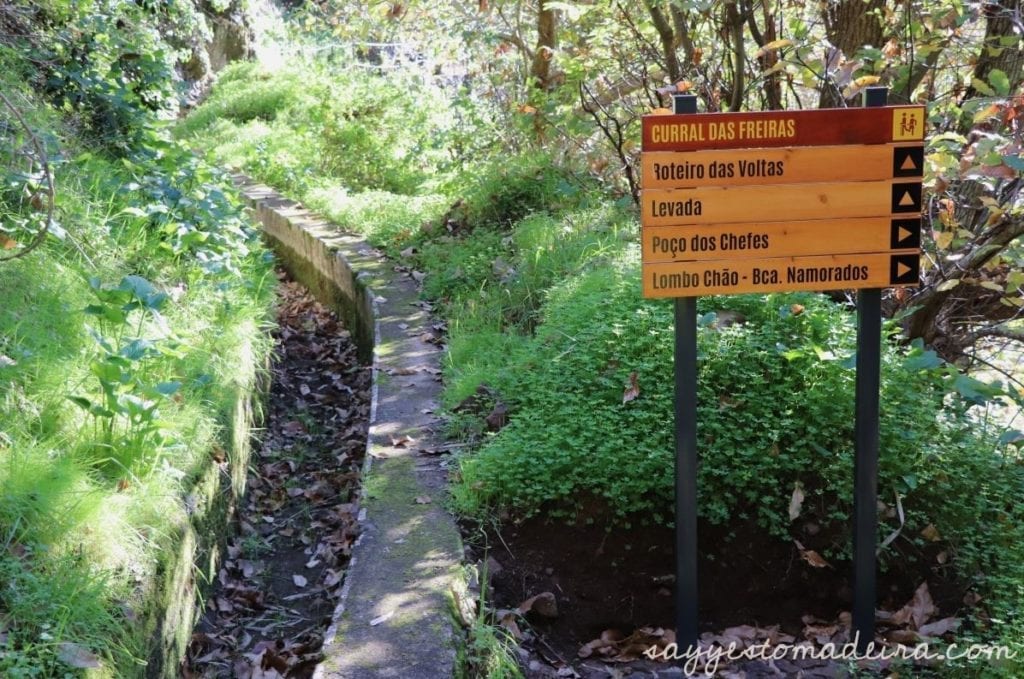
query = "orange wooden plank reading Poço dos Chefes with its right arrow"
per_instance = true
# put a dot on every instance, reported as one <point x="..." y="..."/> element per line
<point x="780" y="239"/>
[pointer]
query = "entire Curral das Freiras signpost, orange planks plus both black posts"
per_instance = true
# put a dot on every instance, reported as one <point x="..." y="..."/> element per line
<point x="775" y="202"/>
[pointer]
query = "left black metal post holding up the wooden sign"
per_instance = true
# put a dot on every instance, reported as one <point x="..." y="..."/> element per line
<point x="687" y="452"/>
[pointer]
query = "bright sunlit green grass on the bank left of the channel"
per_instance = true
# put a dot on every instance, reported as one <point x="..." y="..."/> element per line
<point x="94" y="506"/>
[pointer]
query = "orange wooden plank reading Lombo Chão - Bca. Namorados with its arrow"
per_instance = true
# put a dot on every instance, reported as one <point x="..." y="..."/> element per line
<point x="781" y="275"/>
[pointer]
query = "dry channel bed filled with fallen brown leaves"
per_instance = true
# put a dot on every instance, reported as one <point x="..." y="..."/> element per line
<point x="281" y="578"/>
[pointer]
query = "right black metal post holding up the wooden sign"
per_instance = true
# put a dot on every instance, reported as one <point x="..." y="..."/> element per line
<point x="866" y="492"/>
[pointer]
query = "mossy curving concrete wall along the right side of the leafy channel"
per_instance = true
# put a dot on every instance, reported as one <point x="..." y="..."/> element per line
<point x="395" y="617"/>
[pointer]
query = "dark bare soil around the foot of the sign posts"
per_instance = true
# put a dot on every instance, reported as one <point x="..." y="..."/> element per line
<point x="623" y="582"/>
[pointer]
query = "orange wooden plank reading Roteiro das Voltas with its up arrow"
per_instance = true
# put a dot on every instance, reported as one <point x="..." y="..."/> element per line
<point x="779" y="166"/>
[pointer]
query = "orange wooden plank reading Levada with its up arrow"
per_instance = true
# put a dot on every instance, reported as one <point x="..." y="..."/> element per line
<point x="716" y="205"/>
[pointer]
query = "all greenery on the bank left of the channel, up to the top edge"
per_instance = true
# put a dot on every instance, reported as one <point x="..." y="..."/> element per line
<point x="136" y="304"/>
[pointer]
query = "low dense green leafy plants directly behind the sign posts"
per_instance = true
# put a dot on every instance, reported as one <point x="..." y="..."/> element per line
<point x="776" y="409"/>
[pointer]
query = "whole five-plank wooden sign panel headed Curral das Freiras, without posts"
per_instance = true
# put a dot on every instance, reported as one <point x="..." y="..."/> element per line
<point x="782" y="201"/>
